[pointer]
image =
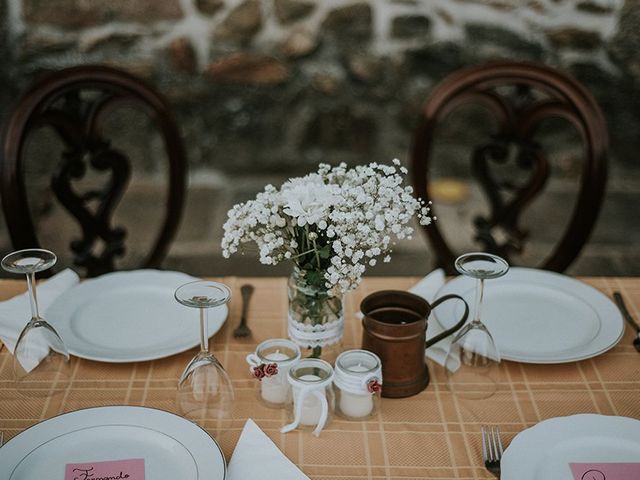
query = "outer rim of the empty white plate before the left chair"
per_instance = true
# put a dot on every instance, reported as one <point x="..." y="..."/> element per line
<point x="139" y="358"/>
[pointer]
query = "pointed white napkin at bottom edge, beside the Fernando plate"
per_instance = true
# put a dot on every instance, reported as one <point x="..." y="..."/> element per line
<point x="256" y="456"/>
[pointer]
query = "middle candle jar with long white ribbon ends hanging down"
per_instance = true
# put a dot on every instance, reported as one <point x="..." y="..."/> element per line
<point x="313" y="396"/>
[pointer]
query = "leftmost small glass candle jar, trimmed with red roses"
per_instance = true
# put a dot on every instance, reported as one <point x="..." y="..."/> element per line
<point x="270" y="364"/>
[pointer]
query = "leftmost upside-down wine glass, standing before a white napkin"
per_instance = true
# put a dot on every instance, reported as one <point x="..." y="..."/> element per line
<point x="40" y="358"/>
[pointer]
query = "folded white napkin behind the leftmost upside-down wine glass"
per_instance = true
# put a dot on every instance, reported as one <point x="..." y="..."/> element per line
<point x="15" y="313"/>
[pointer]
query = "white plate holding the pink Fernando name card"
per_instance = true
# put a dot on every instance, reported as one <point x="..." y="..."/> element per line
<point x="172" y="447"/>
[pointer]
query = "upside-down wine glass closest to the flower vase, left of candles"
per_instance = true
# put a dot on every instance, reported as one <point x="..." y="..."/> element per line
<point x="205" y="393"/>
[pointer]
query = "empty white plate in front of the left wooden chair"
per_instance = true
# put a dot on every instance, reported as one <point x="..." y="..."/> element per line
<point x="129" y="317"/>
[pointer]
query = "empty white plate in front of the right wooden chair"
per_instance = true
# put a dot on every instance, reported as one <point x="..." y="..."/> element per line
<point x="536" y="316"/>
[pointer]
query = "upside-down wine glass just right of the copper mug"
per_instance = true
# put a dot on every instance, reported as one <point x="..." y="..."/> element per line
<point x="473" y="361"/>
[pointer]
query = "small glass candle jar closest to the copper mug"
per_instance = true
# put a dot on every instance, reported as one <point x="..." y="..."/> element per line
<point x="358" y="383"/>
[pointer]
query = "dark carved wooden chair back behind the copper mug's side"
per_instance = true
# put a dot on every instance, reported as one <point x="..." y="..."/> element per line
<point x="537" y="93"/>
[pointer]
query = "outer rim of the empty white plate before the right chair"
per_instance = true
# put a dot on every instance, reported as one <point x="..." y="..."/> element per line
<point x="557" y="359"/>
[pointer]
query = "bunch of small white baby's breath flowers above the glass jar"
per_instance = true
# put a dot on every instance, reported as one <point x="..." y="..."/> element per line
<point x="354" y="215"/>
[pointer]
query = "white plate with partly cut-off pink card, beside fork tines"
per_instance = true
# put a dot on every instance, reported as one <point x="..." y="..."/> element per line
<point x="544" y="451"/>
